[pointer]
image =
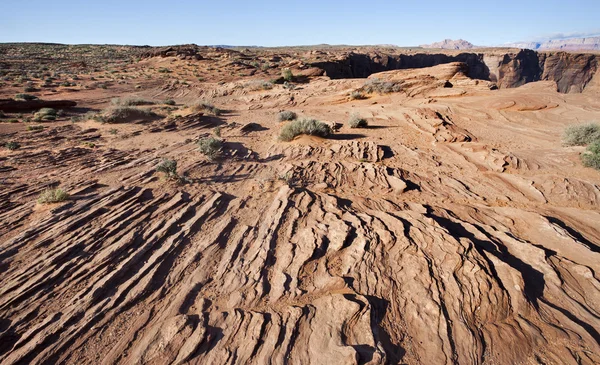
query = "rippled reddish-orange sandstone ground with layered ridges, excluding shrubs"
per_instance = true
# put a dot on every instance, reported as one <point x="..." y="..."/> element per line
<point x="454" y="229"/>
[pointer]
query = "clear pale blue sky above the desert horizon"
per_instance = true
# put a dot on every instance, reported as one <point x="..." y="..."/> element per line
<point x="273" y="23"/>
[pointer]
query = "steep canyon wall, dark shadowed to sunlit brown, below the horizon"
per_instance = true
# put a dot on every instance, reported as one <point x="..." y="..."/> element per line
<point x="571" y="72"/>
